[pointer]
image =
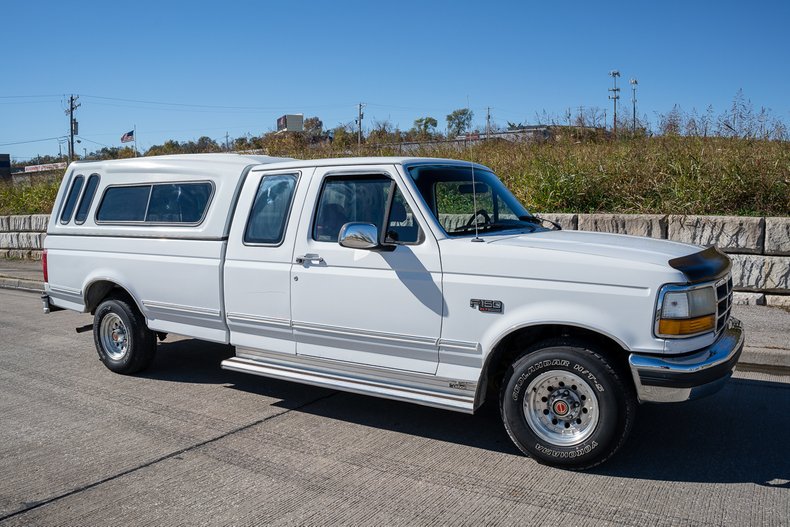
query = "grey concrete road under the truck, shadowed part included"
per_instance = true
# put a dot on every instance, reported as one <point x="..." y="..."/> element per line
<point x="187" y="443"/>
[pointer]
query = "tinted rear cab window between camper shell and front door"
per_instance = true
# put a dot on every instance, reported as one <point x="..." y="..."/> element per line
<point x="269" y="214"/>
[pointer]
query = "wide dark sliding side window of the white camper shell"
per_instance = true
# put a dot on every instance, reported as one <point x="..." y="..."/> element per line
<point x="177" y="203"/>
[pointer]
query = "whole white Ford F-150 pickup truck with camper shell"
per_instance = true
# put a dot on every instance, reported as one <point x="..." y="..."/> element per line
<point x="421" y="280"/>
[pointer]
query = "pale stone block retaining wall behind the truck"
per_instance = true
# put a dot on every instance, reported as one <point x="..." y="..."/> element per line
<point x="759" y="247"/>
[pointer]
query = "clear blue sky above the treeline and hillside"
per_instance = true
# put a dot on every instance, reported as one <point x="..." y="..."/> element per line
<point x="404" y="59"/>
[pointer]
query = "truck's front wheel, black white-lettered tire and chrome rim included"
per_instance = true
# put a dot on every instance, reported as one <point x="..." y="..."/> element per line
<point x="589" y="406"/>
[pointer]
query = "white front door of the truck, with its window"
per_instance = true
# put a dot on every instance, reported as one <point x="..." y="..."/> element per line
<point x="375" y="307"/>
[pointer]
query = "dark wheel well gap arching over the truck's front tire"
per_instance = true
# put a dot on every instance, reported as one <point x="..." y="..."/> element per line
<point x="514" y="343"/>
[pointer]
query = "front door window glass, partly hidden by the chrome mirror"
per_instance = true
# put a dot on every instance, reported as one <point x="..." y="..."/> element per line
<point x="365" y="199"/>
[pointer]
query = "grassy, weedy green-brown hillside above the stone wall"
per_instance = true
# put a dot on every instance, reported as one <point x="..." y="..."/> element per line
<point x="666" y="174"/>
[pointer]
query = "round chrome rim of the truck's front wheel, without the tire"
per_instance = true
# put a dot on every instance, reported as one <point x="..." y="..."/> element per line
<point x="561" y="408"/>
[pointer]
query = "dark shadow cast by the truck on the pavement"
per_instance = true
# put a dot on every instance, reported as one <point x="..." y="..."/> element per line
<point x="735" y="436"/>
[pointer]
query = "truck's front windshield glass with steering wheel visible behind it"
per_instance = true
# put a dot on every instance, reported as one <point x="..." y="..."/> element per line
<point x="459" y="206"/>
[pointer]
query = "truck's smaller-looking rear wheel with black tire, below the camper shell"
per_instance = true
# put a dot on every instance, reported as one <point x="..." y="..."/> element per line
<point x="123" y="341"/>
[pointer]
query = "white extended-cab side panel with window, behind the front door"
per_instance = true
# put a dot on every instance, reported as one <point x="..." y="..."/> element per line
<point x="257" y="270"/>
